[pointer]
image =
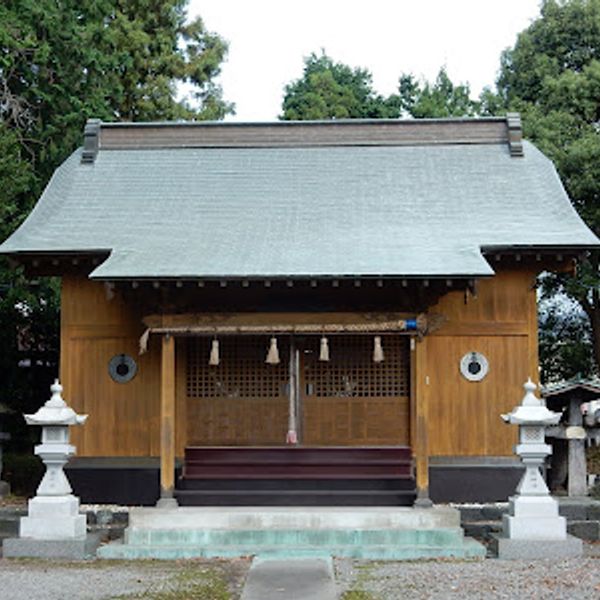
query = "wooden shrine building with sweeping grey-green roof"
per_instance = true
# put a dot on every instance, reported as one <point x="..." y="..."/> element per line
<point x="299" y="313"/>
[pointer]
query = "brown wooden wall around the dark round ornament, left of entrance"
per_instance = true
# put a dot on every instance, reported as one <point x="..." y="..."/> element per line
<point x="123" y="418"/>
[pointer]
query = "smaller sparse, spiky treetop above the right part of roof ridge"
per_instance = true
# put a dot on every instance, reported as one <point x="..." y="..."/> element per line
<point x="436" y="100"/>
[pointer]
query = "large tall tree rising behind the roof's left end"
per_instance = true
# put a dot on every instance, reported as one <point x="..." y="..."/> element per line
<point x="63" y="62"/>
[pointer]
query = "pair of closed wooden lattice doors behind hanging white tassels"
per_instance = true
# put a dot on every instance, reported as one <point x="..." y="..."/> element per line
<point x="348" y="401"/>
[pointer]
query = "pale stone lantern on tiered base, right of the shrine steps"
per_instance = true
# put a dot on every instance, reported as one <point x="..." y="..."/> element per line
<point x="533" y="528"/>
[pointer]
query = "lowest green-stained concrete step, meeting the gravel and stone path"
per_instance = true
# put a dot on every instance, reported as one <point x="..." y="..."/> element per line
<point x="468" y="549"/>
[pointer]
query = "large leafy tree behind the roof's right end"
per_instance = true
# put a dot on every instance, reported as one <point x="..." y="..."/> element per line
<point x="552" y="76"/>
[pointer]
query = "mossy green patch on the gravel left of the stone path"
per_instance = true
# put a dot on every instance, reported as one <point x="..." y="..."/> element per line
<point x="189" y="584"/>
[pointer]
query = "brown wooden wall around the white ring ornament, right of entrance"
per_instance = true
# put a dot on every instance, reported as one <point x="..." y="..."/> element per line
<point x="501" y="323"/>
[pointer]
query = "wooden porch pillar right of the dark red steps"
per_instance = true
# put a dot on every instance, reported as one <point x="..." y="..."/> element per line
<point x="421" y="447"/>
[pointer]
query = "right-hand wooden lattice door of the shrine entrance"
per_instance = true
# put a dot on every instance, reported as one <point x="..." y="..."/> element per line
<point x="352" y="401"/>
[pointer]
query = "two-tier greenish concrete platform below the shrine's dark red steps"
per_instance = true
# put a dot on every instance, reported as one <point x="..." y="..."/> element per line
<point x="384" y="533"/>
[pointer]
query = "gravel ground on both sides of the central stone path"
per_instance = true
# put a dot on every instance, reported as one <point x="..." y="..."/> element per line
<point x="356" y="580"/>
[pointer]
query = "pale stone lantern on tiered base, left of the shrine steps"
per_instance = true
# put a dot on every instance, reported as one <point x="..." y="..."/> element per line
<point x="53" y="527"/>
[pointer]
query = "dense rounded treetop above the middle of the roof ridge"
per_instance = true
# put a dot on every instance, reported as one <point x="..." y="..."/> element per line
<point x="330" y="90"/>
